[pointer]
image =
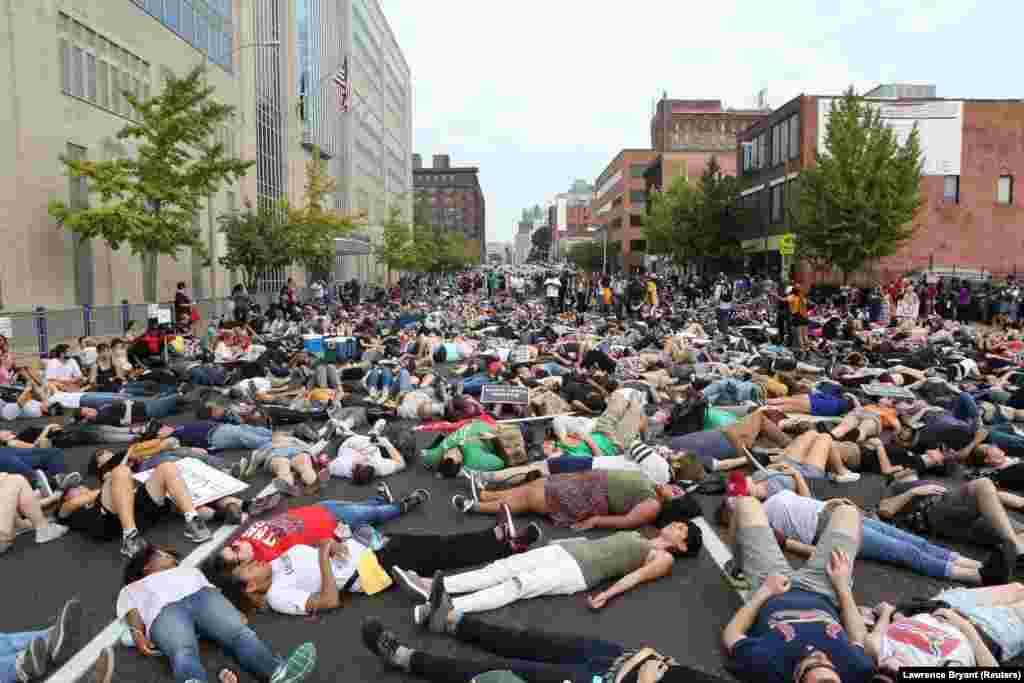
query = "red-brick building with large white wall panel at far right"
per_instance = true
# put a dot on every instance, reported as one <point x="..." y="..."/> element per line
<point x="971" y="214"/>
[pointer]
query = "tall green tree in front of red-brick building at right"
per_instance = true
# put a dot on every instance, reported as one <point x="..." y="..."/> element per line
<point x="858" y="204"/>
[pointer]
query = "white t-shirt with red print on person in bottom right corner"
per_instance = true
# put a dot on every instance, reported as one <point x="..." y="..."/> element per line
<point x="925" y="642"/>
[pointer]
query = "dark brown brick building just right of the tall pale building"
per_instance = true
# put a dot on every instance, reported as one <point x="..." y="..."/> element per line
<point x="453" y="197"/>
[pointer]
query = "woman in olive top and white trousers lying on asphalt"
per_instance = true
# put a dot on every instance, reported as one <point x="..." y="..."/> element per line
<point x="564" y="568"/>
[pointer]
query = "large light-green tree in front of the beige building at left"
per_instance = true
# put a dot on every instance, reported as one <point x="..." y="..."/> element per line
<point x="150" y="201"/>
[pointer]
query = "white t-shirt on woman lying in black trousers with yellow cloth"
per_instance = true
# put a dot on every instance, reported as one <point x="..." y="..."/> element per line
<point x="296" y="577"/>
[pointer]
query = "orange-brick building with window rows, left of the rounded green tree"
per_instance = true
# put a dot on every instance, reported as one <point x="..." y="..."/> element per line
<point x="620" y="202"/>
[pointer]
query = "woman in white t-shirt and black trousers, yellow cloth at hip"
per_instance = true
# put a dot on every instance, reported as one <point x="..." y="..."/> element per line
<point x="308" y="580"/>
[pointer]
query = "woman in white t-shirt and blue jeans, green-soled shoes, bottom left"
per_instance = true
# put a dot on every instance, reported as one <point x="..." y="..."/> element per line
<point x="169" y="608"/>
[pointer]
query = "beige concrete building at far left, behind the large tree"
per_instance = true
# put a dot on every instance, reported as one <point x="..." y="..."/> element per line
<point x="66" y="67"/>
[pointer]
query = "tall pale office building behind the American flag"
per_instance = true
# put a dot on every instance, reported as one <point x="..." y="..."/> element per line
<point x="369" y="148"/>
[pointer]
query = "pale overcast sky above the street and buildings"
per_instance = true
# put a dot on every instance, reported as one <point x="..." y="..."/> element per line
<point x="538" y="94"/>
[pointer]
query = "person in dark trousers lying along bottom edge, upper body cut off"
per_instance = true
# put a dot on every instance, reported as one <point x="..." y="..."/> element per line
<point x="535" y="656"/>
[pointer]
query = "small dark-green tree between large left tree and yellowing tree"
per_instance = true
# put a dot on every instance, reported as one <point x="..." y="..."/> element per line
<point x="257" y="242"/>
